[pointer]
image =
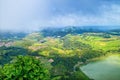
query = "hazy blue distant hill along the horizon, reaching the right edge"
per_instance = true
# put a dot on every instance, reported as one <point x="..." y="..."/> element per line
<point x="62" y="31"/>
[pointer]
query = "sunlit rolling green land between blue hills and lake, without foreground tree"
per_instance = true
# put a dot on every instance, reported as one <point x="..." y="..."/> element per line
<point x="62" y="53"/>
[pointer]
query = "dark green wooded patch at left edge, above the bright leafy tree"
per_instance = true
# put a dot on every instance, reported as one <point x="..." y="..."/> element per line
<point x="8" y="53"/>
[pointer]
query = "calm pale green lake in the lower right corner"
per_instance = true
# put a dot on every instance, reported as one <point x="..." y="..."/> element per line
<point x="104" y="69"/>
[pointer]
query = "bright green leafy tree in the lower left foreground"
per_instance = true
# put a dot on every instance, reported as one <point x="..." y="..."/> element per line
<point x="24" y="68"/>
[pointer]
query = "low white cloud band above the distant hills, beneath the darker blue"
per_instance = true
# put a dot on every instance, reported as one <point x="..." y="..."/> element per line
<point x="110" y="15"/>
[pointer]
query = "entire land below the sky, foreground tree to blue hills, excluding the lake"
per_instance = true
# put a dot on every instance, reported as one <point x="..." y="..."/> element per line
<point x="54" y="54"/>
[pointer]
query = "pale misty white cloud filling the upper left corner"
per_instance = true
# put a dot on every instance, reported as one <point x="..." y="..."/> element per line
<point x="17" y="15"/>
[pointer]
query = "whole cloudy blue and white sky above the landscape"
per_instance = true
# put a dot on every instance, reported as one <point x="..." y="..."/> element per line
<point x="32" y="15"/>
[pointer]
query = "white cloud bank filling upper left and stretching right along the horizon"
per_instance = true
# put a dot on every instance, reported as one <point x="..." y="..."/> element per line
<point x="30" y="15"/>
